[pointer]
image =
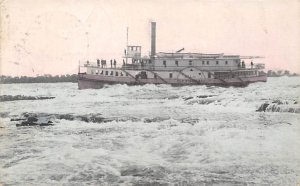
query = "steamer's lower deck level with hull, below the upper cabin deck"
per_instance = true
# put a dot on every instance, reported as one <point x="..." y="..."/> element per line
<point x="189" y="76"/>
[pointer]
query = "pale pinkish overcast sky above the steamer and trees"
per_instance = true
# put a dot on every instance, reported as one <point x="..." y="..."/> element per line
<point x="52" y="36"/>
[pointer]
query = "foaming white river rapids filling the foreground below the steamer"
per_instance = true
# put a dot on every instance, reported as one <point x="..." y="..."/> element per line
<point x="153" y="135"/>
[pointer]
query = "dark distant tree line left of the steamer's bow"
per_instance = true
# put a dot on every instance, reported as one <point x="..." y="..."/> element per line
<point x="39" y="79"/>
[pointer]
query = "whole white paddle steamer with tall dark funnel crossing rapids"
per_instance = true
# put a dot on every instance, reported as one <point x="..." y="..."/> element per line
<point x="177" y="69"/>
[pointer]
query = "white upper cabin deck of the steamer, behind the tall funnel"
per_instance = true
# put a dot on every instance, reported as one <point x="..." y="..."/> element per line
<point x="178" y="61"/>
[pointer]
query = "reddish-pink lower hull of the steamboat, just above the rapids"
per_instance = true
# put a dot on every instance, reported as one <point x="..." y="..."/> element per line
<point x="89" y="81"/>
